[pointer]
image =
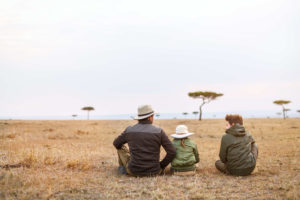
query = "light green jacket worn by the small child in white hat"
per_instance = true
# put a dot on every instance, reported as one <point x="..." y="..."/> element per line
<point x="186" y="157"/>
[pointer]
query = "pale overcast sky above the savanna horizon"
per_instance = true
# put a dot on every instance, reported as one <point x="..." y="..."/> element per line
<point x="58" y="56"/>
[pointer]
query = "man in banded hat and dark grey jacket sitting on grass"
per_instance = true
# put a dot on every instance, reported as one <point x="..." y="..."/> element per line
<point x="144" y="141"/>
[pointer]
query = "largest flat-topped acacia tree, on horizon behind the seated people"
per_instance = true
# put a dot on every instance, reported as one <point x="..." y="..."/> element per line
<point x="205" y="96"/>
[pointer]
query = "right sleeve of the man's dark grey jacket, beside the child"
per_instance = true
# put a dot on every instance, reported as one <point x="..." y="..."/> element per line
<point x="169" y="148"/>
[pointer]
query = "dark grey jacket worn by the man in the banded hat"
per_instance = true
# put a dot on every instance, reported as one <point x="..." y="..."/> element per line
<point x="144" y="141"/>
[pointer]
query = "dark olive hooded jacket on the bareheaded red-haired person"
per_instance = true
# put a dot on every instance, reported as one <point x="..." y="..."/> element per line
<point x="235" y="151"/>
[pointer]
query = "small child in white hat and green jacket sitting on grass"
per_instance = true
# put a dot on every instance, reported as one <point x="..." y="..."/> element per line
<point x="186" y="151"/>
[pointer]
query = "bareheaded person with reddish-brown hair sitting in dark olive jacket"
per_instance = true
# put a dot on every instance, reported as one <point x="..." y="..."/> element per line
<point x="238" y="151"/>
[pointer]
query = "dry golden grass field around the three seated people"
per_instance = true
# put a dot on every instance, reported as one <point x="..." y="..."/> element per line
<point x="76" y="160"/>
